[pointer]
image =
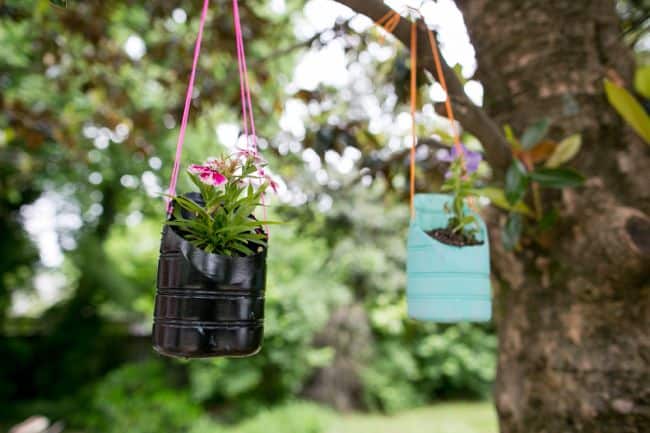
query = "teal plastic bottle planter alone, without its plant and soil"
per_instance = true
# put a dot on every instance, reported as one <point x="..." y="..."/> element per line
<point x="445" y="283"/>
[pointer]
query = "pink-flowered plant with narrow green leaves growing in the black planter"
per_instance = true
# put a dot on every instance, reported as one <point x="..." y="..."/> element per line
<point x="231" y="188"/>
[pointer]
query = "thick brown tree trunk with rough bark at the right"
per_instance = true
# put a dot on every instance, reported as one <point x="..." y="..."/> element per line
<point x="572" y="318"/>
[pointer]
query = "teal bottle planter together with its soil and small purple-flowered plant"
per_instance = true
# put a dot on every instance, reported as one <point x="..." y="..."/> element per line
<point x="448" y="260"/>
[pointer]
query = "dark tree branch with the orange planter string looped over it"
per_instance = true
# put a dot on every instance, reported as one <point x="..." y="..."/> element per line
<point x="472" y="117"/>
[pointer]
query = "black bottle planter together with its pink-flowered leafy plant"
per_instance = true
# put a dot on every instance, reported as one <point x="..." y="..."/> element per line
<point x="212" y="267"/>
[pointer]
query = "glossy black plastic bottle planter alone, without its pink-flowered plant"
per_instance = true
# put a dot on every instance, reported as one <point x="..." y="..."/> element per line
<point x="207" y="304"/>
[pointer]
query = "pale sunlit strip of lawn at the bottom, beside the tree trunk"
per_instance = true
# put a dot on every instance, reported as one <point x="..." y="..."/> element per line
<point x="441" y="418"/>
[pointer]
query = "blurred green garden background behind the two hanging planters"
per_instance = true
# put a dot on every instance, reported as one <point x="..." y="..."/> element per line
<point x="91" y="97"/>
